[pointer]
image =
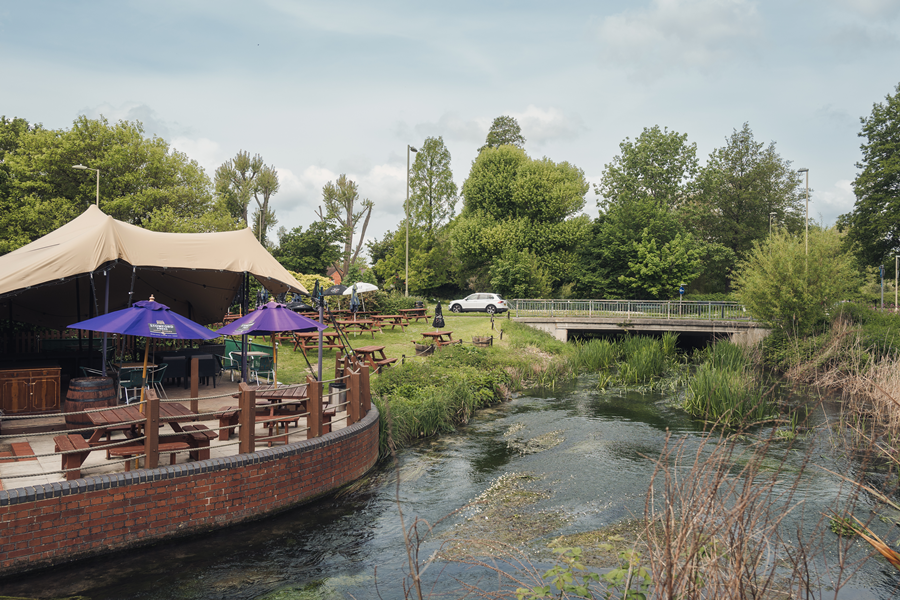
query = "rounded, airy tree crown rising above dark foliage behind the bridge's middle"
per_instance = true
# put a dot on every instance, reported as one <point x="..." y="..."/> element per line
<point x="659" y="164"/>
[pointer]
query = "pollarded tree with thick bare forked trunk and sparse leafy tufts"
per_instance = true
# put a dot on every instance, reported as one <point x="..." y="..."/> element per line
<point x="340" y="199"/>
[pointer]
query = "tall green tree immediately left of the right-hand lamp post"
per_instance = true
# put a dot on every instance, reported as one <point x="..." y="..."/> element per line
<point x="741" y="184"/>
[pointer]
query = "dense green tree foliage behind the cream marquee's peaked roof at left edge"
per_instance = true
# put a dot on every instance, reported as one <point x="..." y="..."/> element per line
<point x="142" y="180"/>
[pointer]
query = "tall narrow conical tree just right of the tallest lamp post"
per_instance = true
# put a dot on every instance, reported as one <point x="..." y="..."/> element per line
<point x="432" y="190"/>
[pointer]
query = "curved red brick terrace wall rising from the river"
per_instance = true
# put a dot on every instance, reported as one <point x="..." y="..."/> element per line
<point x="54" y="523"/>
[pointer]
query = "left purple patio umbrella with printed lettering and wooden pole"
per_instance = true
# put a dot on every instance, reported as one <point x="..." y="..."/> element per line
<point x="150" y="319"/>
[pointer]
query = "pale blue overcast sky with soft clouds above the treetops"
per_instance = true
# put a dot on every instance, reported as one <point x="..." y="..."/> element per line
<point x="320" y="89"/>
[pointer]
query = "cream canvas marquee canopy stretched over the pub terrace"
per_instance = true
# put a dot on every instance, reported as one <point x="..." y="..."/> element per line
<point x="58" y="279"/>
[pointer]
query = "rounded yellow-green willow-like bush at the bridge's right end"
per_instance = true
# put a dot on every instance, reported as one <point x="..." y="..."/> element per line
<point x="781" y="286"/>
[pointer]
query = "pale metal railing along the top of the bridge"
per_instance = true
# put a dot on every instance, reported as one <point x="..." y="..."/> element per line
<point x="629" y="309"/>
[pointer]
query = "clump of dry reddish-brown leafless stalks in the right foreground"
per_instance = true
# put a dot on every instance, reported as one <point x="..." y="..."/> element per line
<point x="716" y="533"/>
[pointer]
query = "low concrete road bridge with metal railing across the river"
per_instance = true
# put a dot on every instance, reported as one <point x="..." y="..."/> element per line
<point x="560" y="318"/>
